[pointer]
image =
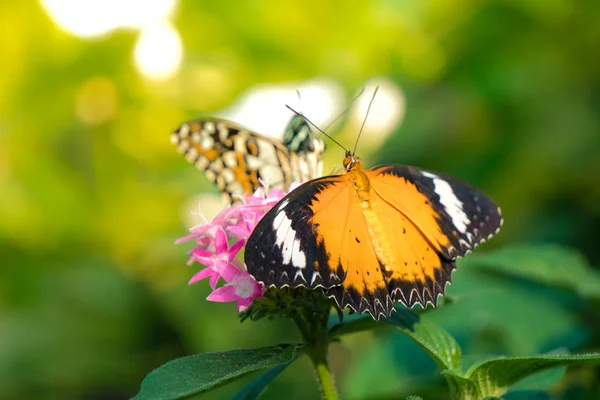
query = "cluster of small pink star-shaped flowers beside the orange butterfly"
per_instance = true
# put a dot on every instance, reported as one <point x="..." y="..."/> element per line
<point x="232" y="224"/>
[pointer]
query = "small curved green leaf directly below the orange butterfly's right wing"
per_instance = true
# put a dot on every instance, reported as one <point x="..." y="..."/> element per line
<point x="431" y="337"/>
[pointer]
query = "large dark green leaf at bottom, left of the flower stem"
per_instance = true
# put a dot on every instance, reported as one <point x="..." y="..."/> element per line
<point x="198" y="373"/>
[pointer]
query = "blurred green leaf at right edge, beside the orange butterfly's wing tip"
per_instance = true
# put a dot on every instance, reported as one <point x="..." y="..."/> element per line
<point x="548" y="264"/>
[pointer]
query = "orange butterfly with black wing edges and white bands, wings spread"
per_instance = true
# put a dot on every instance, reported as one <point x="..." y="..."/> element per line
<point x="373" y="237"/>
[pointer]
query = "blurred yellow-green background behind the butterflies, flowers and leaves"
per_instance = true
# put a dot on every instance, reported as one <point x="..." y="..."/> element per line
<point x="93" y="292"/>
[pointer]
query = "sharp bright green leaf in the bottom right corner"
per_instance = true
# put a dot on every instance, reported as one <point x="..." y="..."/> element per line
<point x="495" y="377"/>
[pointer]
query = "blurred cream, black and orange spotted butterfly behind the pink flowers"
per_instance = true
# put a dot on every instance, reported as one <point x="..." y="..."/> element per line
<point x="237" y="159"/>
